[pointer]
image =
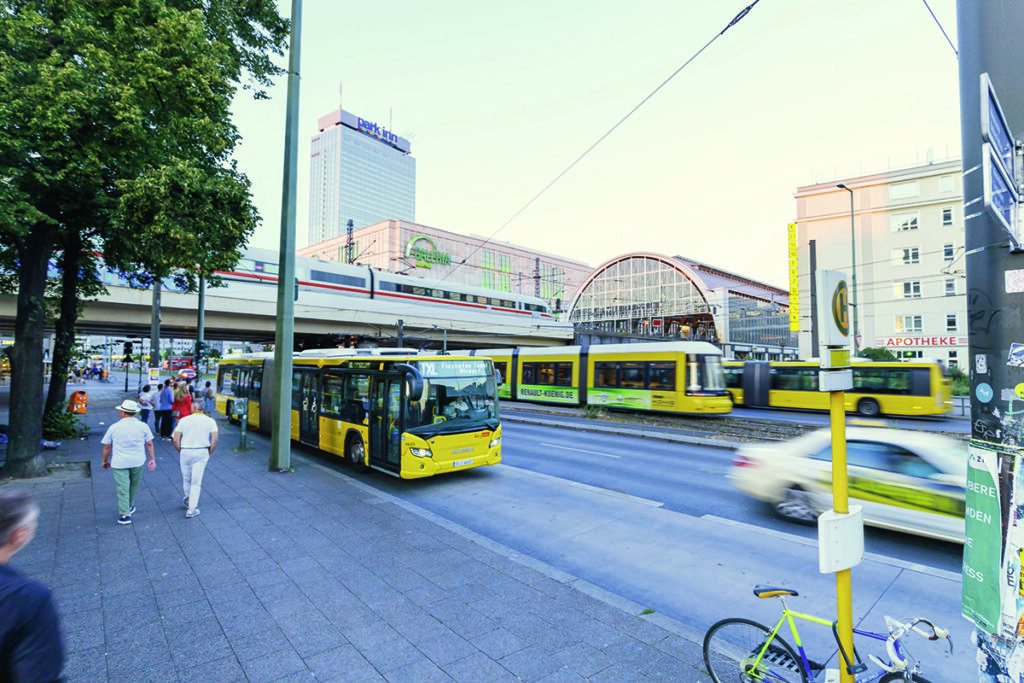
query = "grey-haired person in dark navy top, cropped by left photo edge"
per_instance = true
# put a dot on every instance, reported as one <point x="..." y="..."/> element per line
<point x="31" y="647"/>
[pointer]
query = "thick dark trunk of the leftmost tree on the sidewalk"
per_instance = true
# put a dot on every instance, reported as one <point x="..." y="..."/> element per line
<point x="25" y="458"/>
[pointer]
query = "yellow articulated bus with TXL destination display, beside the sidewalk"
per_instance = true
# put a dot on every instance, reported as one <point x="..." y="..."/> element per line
<point x="397" y="411"/>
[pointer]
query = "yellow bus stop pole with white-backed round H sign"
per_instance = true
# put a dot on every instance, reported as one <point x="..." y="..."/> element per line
<point x="841" y="531"/>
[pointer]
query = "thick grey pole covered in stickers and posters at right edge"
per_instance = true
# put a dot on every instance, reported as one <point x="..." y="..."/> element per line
<point x="990" y="45"/>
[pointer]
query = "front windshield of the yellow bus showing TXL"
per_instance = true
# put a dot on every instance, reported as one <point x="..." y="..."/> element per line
<point x="458" y="397"/>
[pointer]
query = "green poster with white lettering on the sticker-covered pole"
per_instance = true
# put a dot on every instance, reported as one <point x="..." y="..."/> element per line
<point x="984" y="541"/>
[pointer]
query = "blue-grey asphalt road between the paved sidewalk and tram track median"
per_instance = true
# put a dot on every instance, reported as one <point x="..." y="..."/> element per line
<point x="660" y="525"/>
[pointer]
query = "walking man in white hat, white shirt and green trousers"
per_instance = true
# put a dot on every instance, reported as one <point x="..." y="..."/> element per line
<point x="125" y="446"/>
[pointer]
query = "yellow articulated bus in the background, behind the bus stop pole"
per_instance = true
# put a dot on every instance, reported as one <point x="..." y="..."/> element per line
<point x="914" y="389"/>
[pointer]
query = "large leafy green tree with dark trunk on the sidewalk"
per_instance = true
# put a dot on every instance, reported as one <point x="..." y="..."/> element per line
<point x="115" y="139"/>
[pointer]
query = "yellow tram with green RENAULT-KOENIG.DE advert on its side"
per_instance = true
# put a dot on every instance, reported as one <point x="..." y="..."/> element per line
<point x="672" y="377"/>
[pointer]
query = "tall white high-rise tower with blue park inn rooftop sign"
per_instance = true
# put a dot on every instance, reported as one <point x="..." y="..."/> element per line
<point x="359" y="172"/>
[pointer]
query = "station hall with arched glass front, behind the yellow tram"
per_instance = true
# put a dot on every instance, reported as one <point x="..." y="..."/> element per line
<point x="643" y="295"/>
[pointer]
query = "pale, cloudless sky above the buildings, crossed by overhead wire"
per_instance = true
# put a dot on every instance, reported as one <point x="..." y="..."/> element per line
<point x="499" y="98"/>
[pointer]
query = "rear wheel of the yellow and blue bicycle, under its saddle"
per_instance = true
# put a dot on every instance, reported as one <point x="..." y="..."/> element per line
<point x="733" y="645"/>
